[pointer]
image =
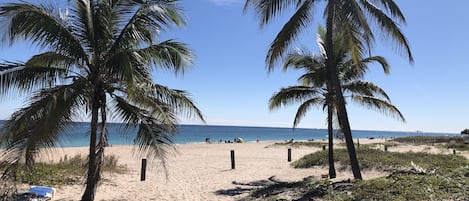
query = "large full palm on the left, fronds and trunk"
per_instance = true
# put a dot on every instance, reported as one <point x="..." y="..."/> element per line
<point x="97" y="62"/>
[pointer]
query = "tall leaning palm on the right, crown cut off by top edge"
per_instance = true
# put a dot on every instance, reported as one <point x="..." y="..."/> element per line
<point x="352" y="17"/>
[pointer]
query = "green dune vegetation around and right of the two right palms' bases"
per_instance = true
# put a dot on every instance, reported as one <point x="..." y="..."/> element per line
<point x="448" y="181"/>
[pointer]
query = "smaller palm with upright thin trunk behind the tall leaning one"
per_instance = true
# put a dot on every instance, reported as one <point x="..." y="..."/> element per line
<point x="316" y="89"/>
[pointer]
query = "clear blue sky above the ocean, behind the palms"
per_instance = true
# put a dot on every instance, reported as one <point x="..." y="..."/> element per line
<point x="230" y="84"/>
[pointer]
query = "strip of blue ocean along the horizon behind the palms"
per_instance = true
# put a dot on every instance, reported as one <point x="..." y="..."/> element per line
<point x="77" y="135"/>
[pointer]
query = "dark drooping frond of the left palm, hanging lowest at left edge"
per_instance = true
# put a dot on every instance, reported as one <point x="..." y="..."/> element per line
<point x="40" y="124"/>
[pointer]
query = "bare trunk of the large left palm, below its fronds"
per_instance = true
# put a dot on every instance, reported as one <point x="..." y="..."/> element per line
<point x="92" y="179"/>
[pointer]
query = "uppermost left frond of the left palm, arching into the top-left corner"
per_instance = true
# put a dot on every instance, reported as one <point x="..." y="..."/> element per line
<point x="41" y="25"/>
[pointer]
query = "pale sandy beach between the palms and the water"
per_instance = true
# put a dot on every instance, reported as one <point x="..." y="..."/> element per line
<point x="202" y="172"/>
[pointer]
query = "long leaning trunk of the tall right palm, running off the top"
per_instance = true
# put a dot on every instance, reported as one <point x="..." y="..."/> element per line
<point x="341" y="110"/>
